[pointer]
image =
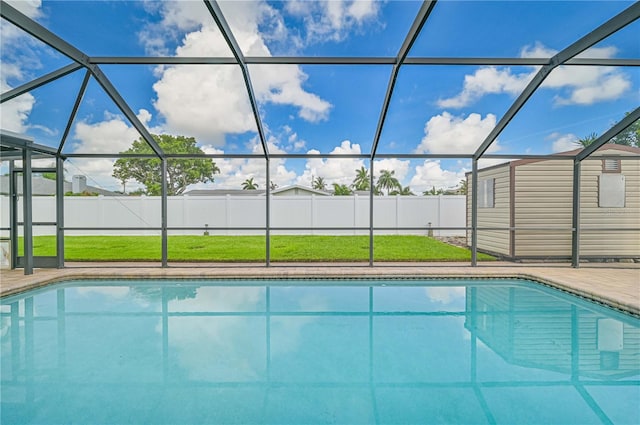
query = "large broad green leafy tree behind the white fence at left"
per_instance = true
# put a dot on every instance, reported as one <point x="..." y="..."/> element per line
<point x="181" y="172"/>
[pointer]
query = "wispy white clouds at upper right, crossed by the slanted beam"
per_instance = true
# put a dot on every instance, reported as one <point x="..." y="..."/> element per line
<point x="579" y="85"/>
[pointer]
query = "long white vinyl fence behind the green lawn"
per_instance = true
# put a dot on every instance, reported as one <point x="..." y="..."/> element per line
<point x="230" y="215"/>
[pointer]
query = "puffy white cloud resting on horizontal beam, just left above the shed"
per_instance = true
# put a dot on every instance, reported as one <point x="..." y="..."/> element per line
<point x="445" y="133"/>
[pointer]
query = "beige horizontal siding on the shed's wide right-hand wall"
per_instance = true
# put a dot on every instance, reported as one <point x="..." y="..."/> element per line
<point x="543" y="199"/>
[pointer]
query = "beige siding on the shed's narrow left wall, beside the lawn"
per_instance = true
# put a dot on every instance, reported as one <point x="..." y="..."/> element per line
<point x="495" y="241"/>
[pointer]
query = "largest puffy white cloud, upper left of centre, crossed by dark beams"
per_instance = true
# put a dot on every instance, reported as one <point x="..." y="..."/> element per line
<point x="208" y="102"/>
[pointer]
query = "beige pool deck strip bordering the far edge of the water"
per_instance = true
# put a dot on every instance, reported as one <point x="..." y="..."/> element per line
<point x="614" y="284"/>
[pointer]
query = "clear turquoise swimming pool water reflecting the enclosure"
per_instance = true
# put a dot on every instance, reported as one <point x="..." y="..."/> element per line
<point x="316" y="352"/>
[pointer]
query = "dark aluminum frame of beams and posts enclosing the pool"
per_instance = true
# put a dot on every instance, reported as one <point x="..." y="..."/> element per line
<point x="91" y="65"/>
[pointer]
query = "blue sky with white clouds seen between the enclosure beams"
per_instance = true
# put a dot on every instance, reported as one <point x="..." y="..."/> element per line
<point x="321" y="108"/>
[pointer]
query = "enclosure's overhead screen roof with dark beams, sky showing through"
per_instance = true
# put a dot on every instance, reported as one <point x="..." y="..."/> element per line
<point x="341" y="78"/>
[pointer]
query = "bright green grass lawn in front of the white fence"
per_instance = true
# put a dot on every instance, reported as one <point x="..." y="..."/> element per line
<point x="252" y="248"/>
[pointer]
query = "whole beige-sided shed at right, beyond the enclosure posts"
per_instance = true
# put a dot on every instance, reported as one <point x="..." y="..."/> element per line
<point x="525" y="208"/>
